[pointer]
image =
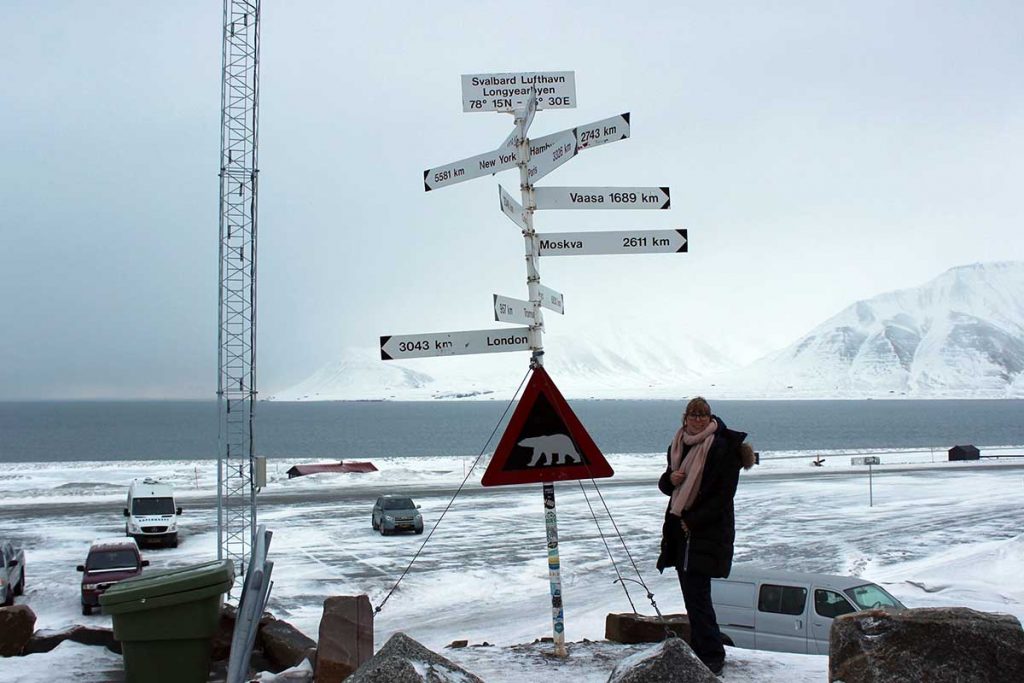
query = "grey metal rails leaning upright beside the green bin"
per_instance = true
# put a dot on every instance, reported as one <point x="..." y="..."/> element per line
<point x="255" y="593"/>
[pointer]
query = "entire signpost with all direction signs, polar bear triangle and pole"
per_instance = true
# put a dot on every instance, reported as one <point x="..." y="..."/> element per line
<point x="545" y="442"/>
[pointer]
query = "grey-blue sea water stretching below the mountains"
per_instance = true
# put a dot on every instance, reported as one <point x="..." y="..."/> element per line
<point x="76" y="432"/>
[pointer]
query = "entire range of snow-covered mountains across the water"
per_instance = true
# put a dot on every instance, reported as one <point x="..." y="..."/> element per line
<point x="961" y="335"/>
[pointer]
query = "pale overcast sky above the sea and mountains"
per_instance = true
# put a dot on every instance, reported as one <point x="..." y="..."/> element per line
<point x="819" y="153"/>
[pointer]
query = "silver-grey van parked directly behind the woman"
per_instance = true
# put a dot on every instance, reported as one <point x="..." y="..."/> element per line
<point x="787" y="612"/>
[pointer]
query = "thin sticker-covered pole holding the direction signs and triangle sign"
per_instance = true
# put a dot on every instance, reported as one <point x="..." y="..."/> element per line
<point x="533" y="249"/>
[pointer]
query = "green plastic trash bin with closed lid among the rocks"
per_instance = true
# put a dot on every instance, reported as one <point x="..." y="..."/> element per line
<point x="166" y="621"/>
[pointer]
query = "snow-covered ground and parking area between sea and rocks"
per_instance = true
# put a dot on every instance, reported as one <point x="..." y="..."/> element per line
<point x="938" y="534"/>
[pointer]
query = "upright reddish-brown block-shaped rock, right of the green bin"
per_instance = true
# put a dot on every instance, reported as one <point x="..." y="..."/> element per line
<point x="347" y="637"/>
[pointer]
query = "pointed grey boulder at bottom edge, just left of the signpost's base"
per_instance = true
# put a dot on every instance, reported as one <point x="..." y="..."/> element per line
<point x="405" y="661"/>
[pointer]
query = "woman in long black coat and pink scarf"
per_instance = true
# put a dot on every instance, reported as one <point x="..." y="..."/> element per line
<point x="700" y="529"/>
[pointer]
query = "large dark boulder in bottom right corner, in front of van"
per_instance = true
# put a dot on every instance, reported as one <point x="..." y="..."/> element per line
<point x="926" y="645"/>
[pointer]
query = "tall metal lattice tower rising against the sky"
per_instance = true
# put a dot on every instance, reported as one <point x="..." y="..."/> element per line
<point x="237" y="303"/>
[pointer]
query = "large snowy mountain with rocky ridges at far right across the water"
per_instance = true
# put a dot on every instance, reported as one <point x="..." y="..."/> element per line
<point x="961" y="335"/>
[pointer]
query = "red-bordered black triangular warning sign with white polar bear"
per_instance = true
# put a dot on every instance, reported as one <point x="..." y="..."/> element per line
<point x="545" y="442"/>
